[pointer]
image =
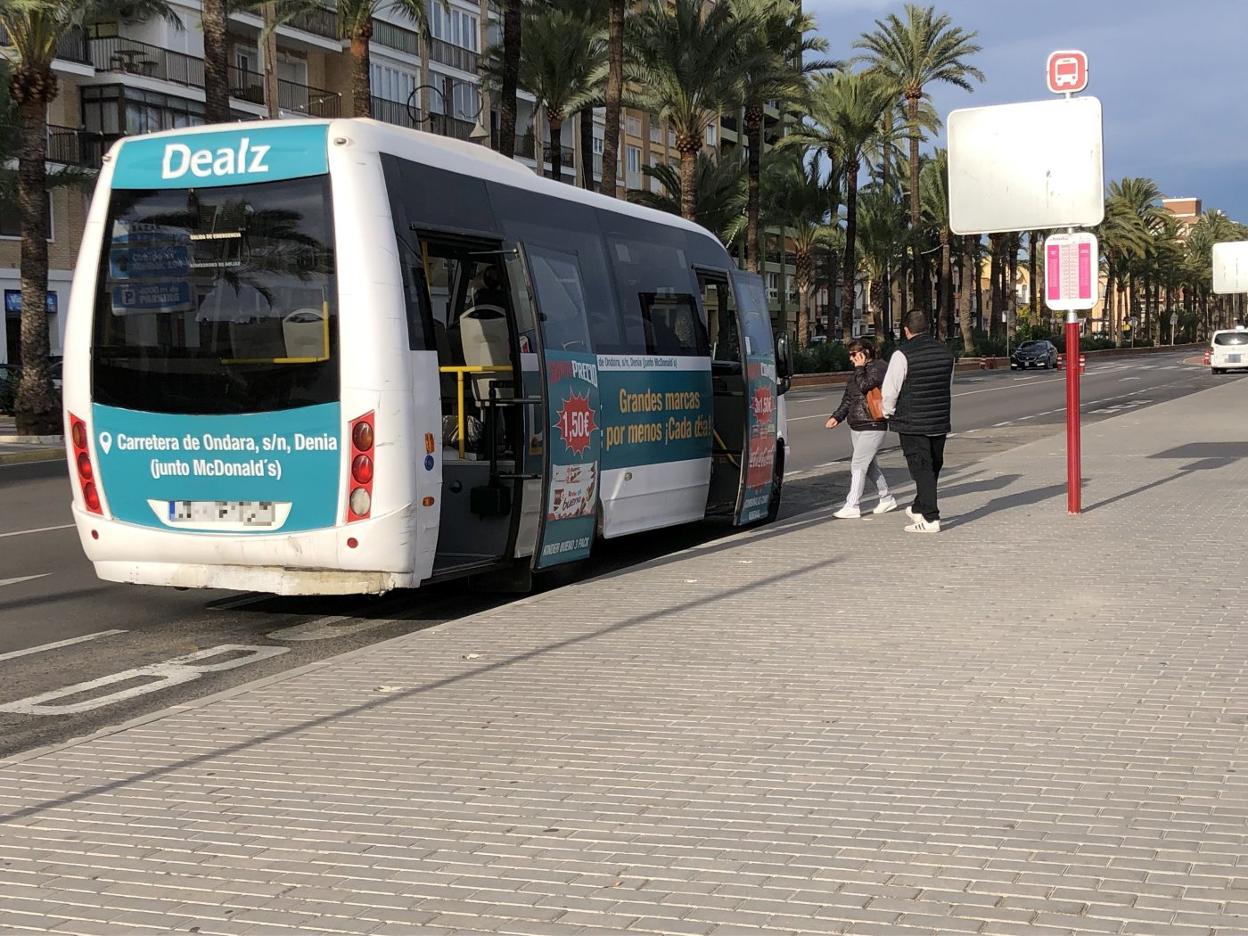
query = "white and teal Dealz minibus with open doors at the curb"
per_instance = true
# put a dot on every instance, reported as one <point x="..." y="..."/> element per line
<point x="336" y="358"/>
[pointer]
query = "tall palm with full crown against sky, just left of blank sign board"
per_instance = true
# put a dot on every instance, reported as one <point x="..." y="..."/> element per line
<point x="914" y="53"/>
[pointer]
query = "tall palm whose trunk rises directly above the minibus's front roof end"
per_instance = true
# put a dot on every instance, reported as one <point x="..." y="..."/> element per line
<point x="774" y="69"/>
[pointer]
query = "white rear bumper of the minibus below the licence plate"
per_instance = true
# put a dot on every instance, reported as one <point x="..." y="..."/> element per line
<point x="369" y="557"/>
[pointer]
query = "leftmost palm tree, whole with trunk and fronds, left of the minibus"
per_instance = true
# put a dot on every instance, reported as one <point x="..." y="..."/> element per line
<point x="36" y="28"/>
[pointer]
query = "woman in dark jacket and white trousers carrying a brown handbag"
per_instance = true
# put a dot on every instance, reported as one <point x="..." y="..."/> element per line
<point x="863" y="405"/>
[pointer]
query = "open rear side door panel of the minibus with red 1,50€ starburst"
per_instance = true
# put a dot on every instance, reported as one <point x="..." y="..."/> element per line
<point x="571" y="467"/>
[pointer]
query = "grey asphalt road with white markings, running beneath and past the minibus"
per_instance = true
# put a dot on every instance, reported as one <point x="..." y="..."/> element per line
<point x="78" y="655"/>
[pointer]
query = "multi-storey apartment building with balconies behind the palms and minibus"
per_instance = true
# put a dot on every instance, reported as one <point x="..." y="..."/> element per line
<point x="128" y="78"/>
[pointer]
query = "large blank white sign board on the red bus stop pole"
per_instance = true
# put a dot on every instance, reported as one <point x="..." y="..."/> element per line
<point x="1030" y="167"/>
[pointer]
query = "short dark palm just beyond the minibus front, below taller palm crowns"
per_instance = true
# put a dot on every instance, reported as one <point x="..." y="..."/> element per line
<point x="796" y="200"/>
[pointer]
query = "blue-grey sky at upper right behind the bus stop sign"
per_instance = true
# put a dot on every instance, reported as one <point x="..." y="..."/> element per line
<point x="1172" y="78"/>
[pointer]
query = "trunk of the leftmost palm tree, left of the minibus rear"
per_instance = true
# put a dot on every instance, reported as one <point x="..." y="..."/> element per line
<point x="37" y="409"/>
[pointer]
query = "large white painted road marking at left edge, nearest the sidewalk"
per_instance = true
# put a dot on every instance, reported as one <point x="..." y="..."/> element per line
<point x="163" y="676"/>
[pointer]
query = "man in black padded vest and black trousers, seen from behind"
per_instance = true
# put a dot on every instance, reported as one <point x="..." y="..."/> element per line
<point x="918" y="397"/>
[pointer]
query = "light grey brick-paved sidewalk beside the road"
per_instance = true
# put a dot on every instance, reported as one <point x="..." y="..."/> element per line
<point x="1029" y="724"/>
